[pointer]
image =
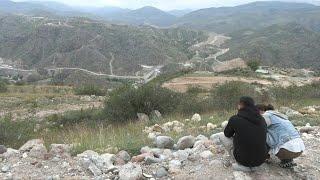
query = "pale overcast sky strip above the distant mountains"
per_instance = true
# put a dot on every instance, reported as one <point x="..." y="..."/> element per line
<point x="161" y="4"/>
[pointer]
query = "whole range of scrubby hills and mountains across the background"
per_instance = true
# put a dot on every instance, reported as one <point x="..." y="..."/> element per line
<point x="281" y="33"/>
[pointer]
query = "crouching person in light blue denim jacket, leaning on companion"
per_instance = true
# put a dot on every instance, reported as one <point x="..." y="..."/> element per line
<point x="283" y="139"/>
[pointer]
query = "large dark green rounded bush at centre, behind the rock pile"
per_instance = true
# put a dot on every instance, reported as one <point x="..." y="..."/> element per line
<point x="124" y="103"/>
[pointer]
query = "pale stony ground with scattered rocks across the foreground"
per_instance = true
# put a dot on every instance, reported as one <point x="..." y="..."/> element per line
<point x="190" y="157"/>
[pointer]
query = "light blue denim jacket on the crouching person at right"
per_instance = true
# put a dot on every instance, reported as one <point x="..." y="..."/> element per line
<point x="280" y="129"/>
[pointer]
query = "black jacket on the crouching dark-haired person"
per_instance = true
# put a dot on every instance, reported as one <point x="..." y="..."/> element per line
<point x="248" y="129"/>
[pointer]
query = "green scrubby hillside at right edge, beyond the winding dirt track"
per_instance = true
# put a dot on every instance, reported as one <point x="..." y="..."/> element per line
<point x="290" y="45"/>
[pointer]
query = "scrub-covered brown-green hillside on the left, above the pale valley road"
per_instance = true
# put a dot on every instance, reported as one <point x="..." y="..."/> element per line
<point x="76" y="42"/>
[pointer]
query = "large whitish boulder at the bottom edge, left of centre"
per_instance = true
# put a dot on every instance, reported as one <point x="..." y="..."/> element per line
<point x="130" y="171"/>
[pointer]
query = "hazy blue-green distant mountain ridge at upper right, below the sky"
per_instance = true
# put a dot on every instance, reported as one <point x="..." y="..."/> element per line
<point x="254" y="16"/>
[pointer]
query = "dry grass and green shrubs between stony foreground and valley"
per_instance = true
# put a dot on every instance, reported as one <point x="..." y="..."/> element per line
<point x="93" y="128"/>
